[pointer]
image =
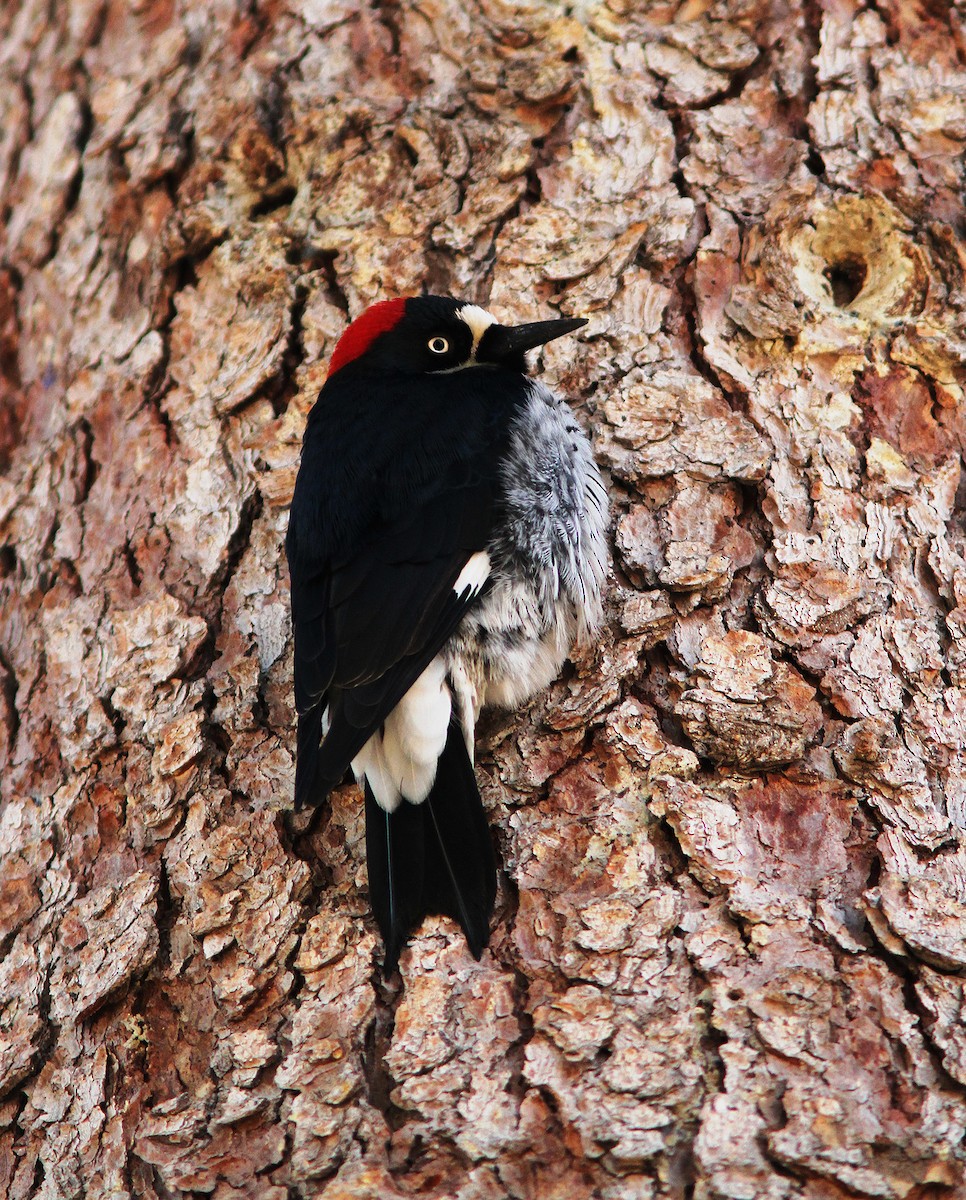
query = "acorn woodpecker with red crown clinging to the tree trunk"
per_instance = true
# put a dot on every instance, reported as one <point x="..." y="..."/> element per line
<point x="447" y="547"/>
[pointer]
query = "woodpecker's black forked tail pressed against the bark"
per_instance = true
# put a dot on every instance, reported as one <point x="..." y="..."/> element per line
<point x="436" y="857"/>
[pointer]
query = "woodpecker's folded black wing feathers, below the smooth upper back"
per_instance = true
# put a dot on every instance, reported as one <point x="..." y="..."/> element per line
<point x="368" y="626"/>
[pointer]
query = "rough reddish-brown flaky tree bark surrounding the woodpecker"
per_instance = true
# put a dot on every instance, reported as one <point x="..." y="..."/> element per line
<point x="731" y="939"/>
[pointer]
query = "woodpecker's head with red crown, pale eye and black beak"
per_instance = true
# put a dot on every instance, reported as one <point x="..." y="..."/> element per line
<point x="430" y="335"/>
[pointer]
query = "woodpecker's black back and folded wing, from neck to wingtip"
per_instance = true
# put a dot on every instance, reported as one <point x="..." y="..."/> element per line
<point x="398" y="488"/>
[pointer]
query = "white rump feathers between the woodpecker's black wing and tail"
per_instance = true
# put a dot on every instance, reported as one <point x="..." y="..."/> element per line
<point x="400" y="761"/>
